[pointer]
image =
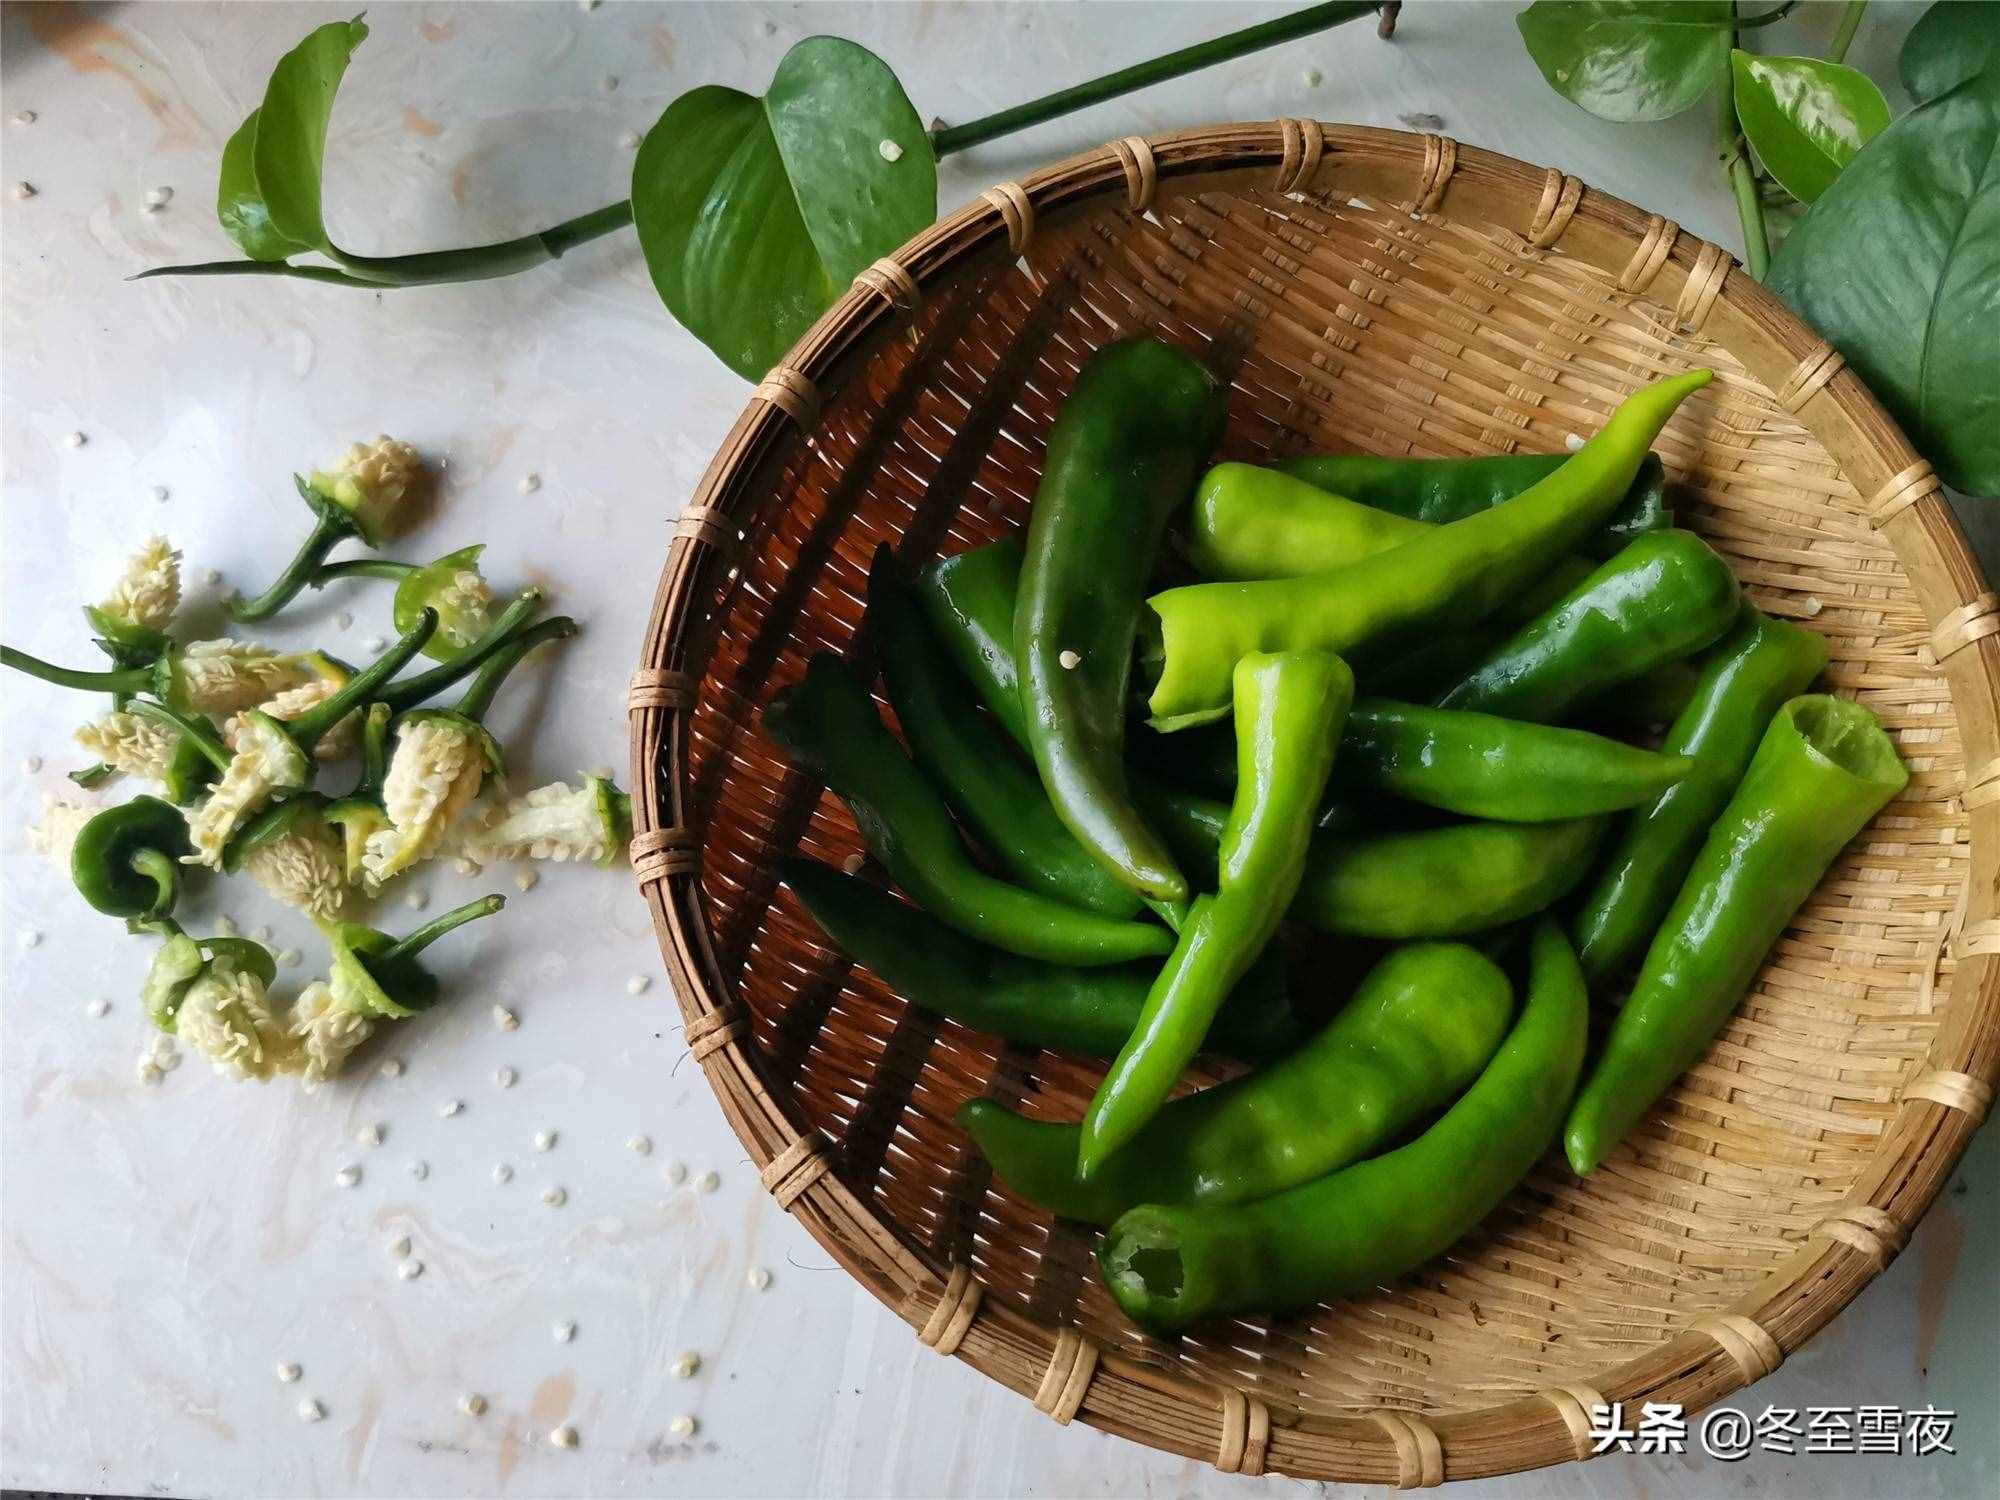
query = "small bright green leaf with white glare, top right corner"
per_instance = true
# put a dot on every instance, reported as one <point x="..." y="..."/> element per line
<point x="1805" y="119"/>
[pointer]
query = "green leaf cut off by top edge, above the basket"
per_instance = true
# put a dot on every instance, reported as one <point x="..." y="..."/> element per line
<point x="1629" y="59"/>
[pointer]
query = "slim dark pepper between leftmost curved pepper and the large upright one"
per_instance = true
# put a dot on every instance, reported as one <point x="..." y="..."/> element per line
<point x="987" y="781"/>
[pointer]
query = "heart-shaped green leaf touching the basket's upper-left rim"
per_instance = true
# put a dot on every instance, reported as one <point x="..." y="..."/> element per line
<point x="757" y="213"/>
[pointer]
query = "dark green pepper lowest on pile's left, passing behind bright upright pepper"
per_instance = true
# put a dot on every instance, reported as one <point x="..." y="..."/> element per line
<point x="1021" y="1001"/>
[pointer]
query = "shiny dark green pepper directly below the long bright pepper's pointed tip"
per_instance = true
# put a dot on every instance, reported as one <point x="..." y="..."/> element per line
<point x="1659" y="601"/>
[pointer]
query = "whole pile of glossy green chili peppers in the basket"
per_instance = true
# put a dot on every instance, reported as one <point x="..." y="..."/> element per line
<point x="1375" y="757"/>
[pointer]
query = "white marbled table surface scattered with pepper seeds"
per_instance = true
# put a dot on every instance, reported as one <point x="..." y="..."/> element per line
<point x="165" y="1247"/>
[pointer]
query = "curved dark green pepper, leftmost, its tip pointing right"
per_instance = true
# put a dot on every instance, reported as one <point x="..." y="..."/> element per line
<point x="831" y="725"/>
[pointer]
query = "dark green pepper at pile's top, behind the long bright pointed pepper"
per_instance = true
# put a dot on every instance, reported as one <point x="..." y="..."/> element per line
<point x="1441" y="491"/>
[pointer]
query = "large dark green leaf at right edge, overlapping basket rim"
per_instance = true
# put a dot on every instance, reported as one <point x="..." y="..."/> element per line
<point x="1899" y="265"/>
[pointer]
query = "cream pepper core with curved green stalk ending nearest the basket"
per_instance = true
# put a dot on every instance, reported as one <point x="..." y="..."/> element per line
<point x="443" y="757"/>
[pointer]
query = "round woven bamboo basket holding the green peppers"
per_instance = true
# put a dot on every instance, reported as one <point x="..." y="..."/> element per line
<point x="1399" y="295"/>
